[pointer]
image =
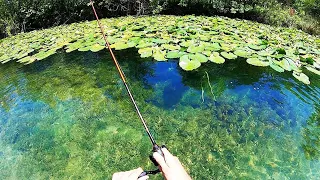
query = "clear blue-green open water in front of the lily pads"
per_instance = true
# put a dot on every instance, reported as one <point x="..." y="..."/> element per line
<point x="69" y="117"/>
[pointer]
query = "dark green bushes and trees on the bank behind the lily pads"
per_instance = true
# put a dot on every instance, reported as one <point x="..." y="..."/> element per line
<point x="24" y="16"/>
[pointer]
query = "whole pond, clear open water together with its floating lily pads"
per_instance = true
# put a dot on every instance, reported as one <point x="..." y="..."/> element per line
<point x="233" y="99"/>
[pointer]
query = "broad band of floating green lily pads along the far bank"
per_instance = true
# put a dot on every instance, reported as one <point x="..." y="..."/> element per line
<point x="194" y="40"/>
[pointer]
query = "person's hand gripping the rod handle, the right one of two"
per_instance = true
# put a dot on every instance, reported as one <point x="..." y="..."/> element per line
<point x="170" y="166"/>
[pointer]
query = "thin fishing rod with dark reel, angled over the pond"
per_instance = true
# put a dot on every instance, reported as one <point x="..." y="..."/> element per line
<point x="155" y="147"/>
